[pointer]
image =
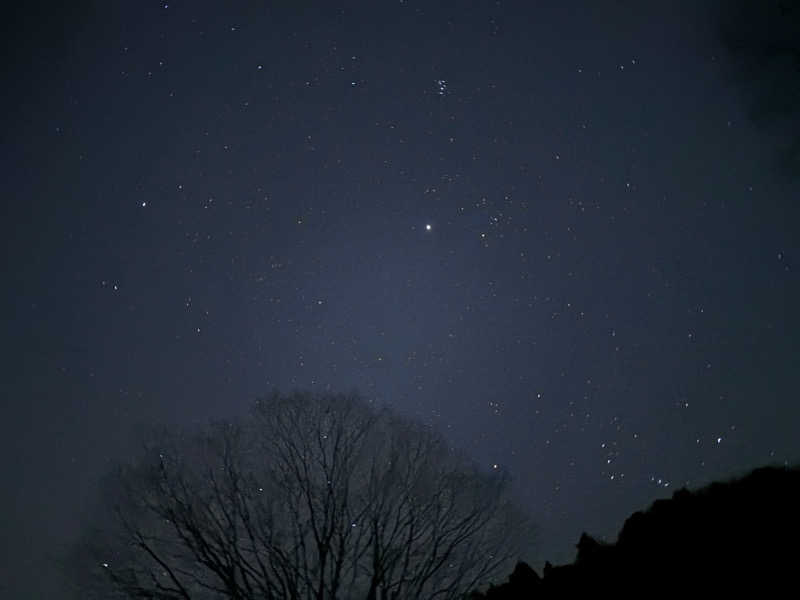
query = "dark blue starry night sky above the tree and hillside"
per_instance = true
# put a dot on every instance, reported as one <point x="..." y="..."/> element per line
<point x="552" y="229"/>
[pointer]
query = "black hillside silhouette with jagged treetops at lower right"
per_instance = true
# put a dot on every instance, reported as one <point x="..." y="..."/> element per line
<point x="726" y="537"/>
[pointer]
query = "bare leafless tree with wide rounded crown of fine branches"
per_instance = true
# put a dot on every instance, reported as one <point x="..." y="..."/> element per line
<point x="312" y="497"/>
